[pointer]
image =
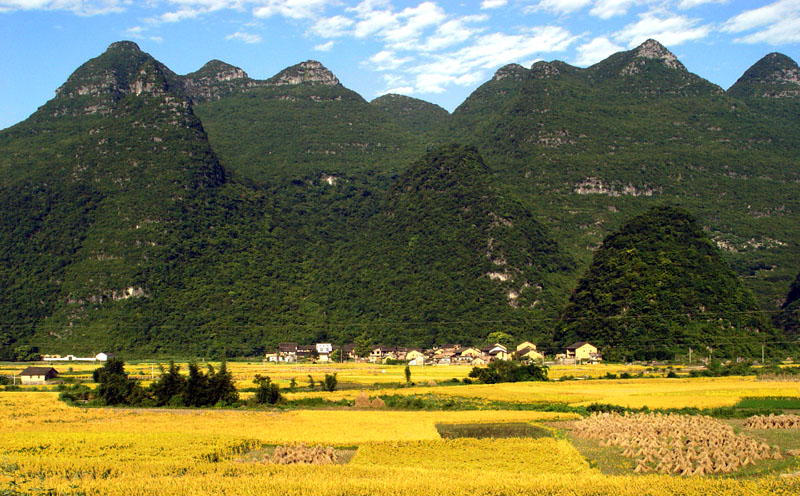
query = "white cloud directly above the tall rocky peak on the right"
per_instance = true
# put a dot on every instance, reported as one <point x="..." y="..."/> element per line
<point x="669" y="30"/>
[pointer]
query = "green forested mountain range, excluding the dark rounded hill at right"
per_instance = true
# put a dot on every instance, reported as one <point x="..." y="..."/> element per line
<point x="151" y="213"/>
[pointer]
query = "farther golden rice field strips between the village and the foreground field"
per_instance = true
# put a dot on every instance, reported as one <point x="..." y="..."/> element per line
<point x="633" y="393"/>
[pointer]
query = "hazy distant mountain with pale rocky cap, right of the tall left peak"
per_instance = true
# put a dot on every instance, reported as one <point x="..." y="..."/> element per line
<point x="303" y="123"/>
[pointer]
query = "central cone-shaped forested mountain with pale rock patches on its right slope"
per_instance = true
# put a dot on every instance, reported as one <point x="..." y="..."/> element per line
<point x="450" y="258"/>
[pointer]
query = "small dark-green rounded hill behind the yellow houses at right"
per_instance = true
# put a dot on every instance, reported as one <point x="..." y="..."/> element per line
<point x="657" y="287"/>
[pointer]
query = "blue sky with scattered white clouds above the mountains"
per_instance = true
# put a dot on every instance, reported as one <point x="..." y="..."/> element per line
<point x="435" y="50"/>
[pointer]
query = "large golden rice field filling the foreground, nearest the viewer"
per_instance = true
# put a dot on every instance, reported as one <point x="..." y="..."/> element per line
<point x="47" y="447"/>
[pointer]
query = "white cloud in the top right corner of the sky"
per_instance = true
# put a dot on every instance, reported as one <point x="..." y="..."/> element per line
<point x="777" y="23"/>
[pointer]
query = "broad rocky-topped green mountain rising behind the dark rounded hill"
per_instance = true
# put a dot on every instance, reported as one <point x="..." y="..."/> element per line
<point x="580" y="146"/>
